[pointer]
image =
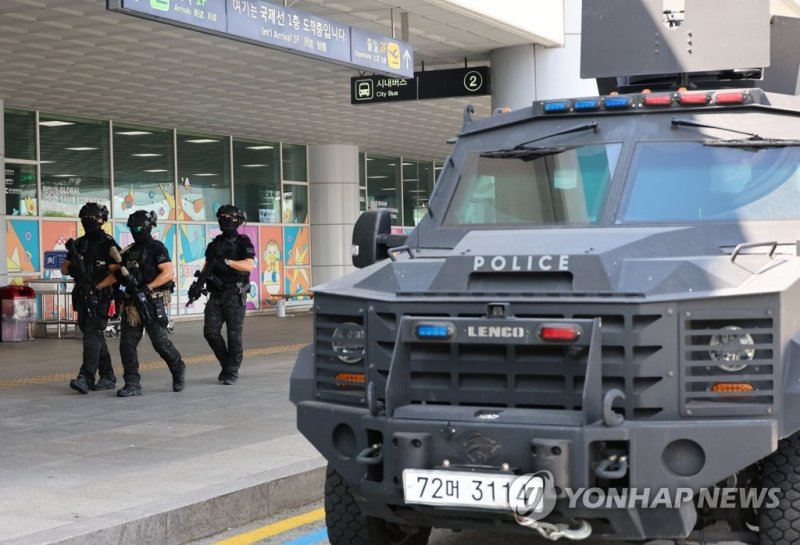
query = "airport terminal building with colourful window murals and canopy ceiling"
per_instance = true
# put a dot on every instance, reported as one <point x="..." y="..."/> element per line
<point x="143" y="111"/>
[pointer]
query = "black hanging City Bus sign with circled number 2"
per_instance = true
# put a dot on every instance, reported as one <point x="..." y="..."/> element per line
<point x="424" y="85"/>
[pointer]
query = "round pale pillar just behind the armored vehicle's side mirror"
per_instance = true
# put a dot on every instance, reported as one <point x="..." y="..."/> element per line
<point x="333" y="203"/>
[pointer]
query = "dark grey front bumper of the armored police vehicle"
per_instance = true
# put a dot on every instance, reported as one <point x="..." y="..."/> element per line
<point x="660" y="455"/>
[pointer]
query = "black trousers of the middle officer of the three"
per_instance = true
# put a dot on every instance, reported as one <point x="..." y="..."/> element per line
<point x="129" y="340"/>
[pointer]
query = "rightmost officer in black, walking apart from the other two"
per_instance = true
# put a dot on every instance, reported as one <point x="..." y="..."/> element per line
<point x="230" y="256"/>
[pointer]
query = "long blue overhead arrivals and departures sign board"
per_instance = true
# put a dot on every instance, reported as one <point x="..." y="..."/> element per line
<point x="279" y="27"/>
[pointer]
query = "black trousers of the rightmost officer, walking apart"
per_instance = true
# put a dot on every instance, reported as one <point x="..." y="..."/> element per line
<point x="226" y="307"/>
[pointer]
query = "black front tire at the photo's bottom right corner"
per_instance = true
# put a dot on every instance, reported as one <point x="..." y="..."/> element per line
<point x="780" y="525"/>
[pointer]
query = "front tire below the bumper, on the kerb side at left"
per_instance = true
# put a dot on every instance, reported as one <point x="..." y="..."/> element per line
<point x="348" y="526"/>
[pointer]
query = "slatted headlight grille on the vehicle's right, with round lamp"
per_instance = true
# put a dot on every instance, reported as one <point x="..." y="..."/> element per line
<point x="701" y="362"/>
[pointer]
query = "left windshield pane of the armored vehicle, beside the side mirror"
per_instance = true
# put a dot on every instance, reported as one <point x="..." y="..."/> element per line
<point x="557" y="187"/>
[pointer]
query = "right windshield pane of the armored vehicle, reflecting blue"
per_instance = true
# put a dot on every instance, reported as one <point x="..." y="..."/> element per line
<point x="688" y="181"/>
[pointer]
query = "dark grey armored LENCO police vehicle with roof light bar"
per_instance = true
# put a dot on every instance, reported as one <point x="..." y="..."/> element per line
<point x="602" y="302"/>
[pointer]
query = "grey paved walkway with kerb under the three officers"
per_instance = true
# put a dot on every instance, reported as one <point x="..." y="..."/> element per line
<point x="162" y="468"/>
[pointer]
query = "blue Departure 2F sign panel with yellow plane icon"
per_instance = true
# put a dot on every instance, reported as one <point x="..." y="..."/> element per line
<point x="381" y="53"/>
